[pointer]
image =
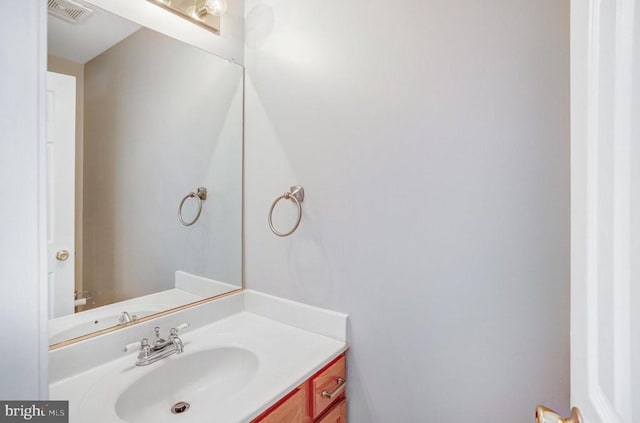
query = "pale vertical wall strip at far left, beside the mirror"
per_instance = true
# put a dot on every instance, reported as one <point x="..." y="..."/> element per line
<point x="23" y="303"/>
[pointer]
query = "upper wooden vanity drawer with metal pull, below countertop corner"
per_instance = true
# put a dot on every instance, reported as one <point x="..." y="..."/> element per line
<point x="328" y="386"/>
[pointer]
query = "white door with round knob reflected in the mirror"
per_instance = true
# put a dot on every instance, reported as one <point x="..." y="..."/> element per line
<point x="61" y="106"/>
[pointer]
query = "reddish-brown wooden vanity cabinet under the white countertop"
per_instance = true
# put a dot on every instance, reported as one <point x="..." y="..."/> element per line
<point x="320" y="399"/>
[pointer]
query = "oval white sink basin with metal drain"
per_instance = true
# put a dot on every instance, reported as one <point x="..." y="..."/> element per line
<point x="198" y="379"/>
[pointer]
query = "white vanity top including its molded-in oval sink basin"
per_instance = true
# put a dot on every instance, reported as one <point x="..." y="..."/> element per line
<point x="231" y="370"/>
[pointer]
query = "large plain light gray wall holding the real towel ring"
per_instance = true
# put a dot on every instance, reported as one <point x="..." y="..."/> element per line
<point x="432" y="139"/>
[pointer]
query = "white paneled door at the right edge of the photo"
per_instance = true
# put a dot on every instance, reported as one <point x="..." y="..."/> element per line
<point x="605" y="217"/>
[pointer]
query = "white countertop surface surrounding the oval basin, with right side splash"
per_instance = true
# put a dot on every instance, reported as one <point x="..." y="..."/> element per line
<point x="283" y="356"/>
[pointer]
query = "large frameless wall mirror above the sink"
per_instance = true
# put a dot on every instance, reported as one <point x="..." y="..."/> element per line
<point x="137" y="122"/>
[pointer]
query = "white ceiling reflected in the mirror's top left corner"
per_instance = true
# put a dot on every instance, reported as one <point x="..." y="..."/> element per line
<point x="81" y="42"/>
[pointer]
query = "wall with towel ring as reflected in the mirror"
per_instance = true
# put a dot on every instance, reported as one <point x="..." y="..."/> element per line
<point x="161" y="119"/>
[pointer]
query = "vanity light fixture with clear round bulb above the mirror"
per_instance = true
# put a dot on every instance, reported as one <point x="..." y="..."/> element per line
<point x="205" y="13"/>
